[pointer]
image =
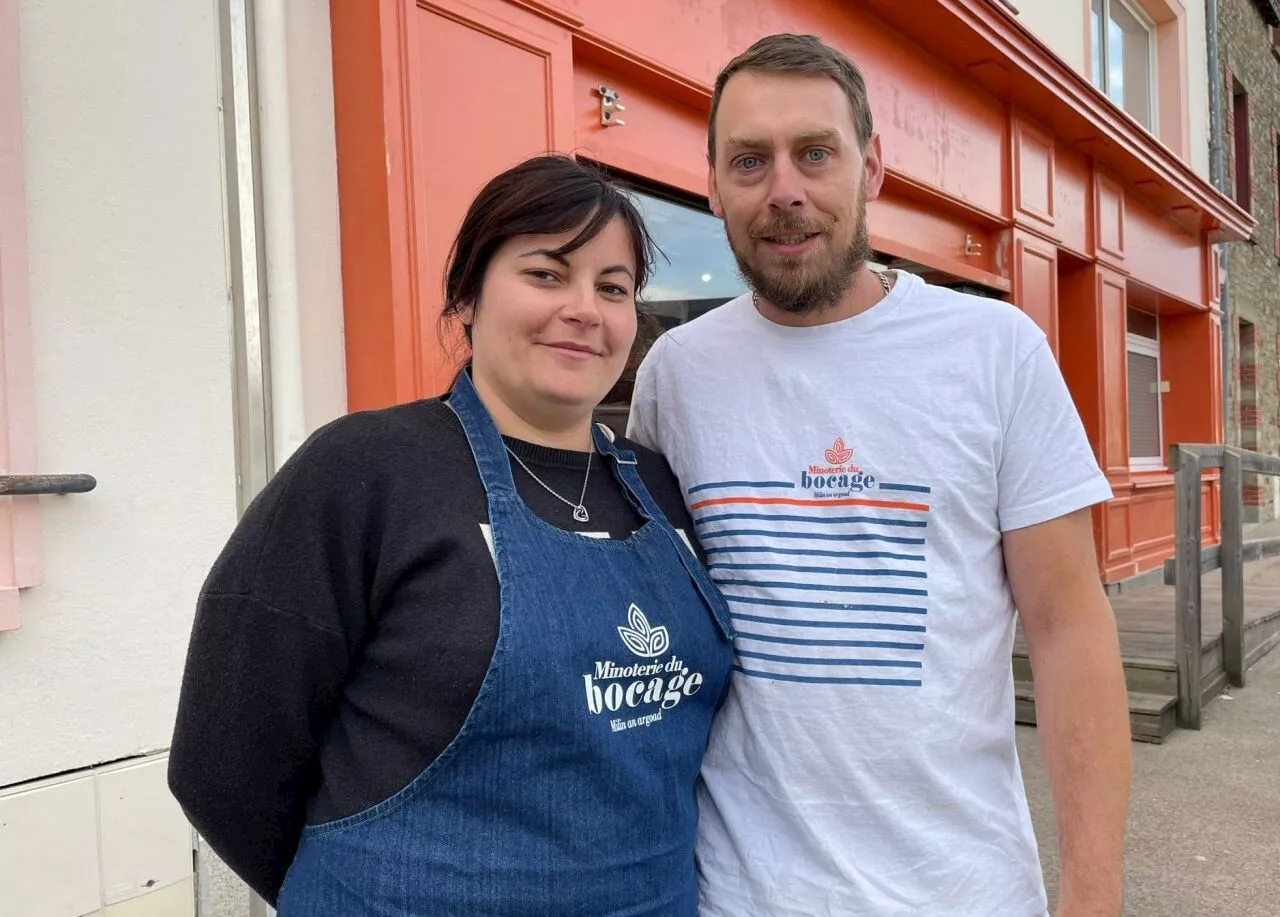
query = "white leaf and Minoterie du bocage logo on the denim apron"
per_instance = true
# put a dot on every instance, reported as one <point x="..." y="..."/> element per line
<point x="642" y="691"/>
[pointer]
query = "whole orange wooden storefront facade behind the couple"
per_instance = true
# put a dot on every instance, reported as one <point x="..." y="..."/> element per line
<point x="1008" y="175"/>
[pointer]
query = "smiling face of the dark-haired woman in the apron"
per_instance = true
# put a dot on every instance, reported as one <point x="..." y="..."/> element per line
<point x="551" y="335"/>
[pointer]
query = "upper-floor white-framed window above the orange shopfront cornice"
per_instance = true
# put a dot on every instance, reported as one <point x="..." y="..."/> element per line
<point x="1124" y="58"/>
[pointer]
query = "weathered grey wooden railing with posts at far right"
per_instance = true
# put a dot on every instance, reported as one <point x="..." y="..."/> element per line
<point x="1191" y="562"/>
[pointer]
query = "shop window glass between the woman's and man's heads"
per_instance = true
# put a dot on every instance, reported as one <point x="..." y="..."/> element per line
<point x="696" y="273"/>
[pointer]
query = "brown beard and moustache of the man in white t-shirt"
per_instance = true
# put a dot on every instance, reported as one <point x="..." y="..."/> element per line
<point x="810" y="285"/>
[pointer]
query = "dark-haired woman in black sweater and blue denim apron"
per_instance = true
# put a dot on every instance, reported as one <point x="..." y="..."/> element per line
<point x="455" y="660"/>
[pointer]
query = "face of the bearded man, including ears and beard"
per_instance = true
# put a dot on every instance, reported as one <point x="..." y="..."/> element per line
<point x="792" y="185"/>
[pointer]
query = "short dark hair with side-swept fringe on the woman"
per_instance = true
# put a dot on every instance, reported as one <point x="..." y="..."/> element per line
<point x="542" y="197"/>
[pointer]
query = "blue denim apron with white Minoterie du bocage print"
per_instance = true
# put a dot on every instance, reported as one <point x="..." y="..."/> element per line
<point x="570" y="788"/>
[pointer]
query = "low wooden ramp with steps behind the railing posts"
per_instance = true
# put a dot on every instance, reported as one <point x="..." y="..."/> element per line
<point x="1146" y="622"/>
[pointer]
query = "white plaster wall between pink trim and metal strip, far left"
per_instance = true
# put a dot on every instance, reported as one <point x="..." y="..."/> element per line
<point x="132" y="353"/>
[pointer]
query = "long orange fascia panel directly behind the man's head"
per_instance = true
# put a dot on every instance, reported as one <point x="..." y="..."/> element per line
<point x="935" y="127"/>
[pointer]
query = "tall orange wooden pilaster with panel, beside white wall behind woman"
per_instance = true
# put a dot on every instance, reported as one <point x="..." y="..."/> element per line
<point x="417" y="138"/>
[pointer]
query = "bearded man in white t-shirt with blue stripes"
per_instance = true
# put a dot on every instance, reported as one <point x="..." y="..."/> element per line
<point x="881" y="472"/>
